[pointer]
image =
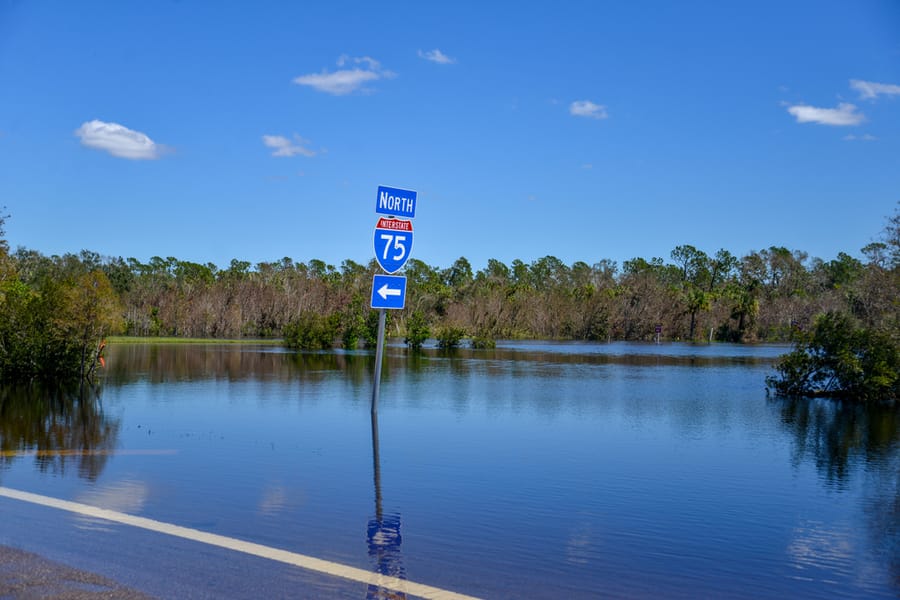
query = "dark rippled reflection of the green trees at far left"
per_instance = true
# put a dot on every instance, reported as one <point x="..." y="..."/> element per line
<point x="59" y="428"/>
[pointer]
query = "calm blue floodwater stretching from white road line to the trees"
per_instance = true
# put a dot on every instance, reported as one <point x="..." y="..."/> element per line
<point x="536" y="470"/>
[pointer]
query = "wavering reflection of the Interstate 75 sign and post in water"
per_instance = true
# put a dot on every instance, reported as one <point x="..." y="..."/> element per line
<point x="383" y="534"/>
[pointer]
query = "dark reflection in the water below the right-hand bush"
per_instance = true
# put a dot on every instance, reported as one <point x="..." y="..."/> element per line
<point x="848" y="440"/>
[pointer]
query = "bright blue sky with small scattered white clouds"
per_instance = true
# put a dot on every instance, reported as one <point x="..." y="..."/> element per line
<point x="586" y="130"/>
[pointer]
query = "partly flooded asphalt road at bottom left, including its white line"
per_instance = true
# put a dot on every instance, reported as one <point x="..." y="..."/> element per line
<point x="52" y="548"/>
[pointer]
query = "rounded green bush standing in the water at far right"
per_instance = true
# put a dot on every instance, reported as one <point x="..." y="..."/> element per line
<point x="839" y="358"/>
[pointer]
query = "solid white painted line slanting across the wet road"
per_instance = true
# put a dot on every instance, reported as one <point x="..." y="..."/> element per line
<point x="212" y="539"/>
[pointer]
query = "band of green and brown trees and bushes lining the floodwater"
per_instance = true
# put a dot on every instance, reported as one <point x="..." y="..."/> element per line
<point x="56" y="312"/>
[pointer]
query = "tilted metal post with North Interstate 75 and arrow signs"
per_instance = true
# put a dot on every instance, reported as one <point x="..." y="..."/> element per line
<point x="393" y="244"/>
